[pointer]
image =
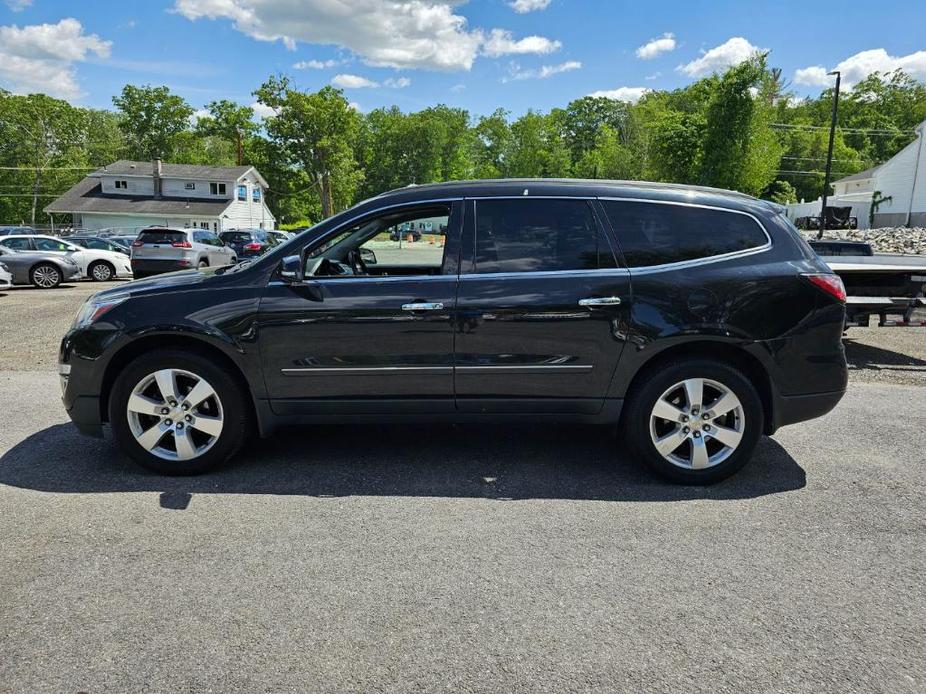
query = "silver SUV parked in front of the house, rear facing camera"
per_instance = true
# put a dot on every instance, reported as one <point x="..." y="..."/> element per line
<point x="166" y="249"/>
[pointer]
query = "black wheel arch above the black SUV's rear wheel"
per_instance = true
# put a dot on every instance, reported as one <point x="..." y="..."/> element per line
<point x="723" y="352"/>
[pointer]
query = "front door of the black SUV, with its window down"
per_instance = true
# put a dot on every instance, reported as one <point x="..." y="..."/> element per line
<point x="368" y="343"/>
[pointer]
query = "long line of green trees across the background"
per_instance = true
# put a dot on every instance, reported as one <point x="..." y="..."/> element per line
<point x="741" y="130"/>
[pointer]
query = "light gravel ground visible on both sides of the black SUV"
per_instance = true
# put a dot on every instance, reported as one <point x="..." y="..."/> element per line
<point x="32" y="322"/>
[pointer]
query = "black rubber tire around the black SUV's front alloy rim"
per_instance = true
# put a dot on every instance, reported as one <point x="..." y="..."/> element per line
<point x="235" y="407"/>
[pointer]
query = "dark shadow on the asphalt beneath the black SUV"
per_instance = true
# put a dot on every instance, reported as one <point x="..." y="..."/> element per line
<point x="493" y="462"/>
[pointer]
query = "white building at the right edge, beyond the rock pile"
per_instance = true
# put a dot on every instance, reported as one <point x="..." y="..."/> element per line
<point x="900" y="182"/>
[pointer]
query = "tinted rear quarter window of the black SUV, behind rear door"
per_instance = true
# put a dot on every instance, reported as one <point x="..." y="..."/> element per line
<point x="656" y="234"/>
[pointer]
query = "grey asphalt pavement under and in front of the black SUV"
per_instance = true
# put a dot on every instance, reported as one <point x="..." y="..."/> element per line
<point x="423" y="558"/>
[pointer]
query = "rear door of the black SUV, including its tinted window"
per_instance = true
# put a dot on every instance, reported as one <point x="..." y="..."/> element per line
<point x="541" y="309"/>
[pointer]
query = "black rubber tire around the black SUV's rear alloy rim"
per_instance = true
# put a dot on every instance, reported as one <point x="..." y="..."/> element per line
<point x="656" y="382"/>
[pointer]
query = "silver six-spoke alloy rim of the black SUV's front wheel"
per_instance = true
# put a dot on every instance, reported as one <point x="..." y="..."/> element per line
<point x="175" y="414"/>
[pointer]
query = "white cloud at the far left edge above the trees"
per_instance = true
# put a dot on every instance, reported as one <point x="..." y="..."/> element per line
<point x="41" y="57"/>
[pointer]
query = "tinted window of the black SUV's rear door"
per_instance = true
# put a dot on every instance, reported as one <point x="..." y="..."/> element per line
<point x="538" y="236"/>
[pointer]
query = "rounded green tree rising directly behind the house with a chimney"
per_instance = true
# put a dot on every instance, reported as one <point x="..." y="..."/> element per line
<point x="153" y="121"/>
